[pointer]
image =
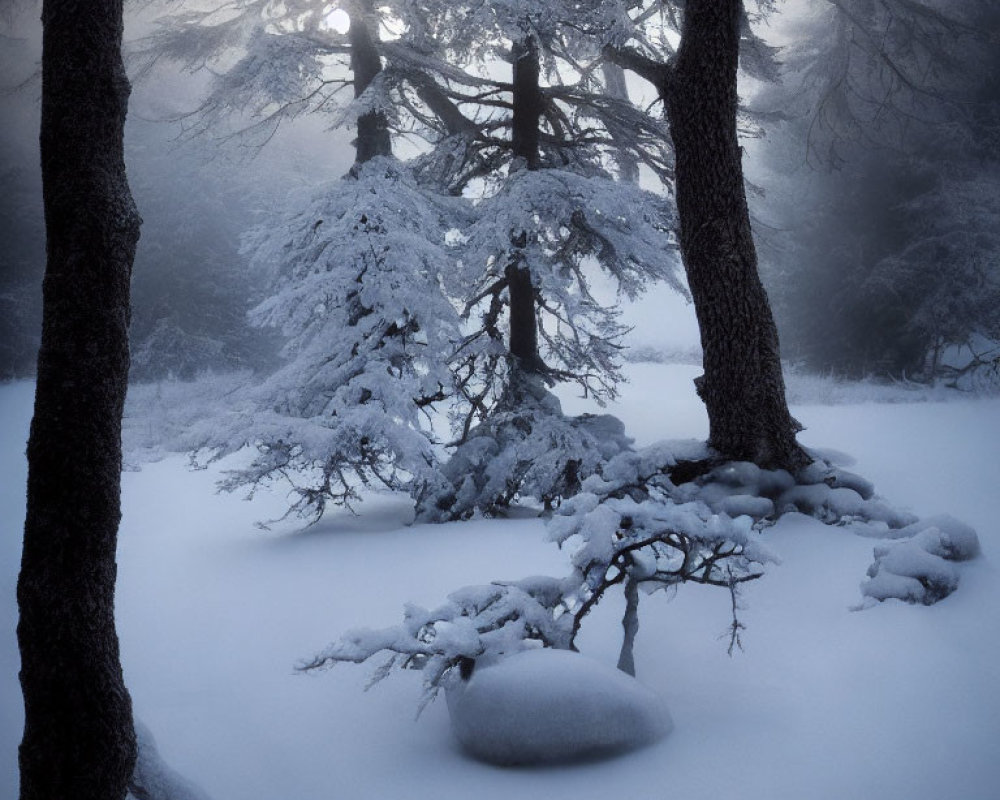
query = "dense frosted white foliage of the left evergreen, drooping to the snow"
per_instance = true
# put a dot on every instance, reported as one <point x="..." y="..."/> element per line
<point x="356" y="290"/>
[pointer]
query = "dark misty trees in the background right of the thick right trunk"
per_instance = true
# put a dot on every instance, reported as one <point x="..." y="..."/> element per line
<point x="887" y="192"/>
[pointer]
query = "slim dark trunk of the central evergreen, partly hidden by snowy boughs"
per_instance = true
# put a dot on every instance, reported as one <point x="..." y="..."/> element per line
<point x="527" y="101"/>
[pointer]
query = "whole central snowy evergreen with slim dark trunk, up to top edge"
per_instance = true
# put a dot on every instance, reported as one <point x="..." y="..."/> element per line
<point x="554" y="213"/>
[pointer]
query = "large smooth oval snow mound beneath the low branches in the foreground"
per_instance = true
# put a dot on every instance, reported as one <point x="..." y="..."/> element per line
<point x="548" y="706"/>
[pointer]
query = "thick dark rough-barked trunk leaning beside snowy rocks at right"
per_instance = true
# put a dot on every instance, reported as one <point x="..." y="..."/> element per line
<point x="743" y="388"/>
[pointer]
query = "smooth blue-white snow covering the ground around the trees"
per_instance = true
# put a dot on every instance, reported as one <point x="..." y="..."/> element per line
<point x="893" y="702"/>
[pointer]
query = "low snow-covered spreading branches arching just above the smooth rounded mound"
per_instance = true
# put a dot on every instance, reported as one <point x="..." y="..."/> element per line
<point x="615" y="537"/>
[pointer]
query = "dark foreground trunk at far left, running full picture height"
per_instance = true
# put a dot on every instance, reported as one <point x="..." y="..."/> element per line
<point x="78" y="740"/>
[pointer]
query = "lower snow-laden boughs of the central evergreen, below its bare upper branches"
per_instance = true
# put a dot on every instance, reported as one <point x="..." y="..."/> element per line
<point x="553" y="226"/>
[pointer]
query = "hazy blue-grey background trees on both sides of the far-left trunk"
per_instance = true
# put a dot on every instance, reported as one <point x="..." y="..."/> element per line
<point x="191" y="287"/>
